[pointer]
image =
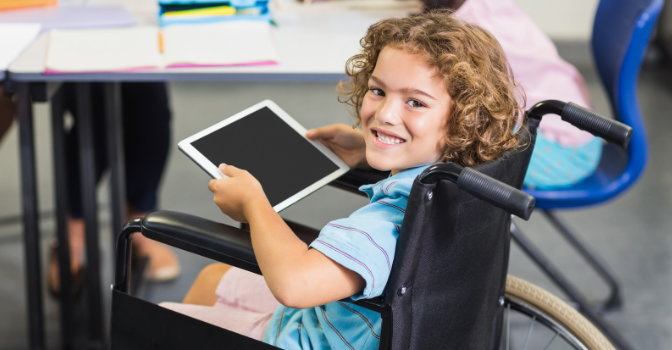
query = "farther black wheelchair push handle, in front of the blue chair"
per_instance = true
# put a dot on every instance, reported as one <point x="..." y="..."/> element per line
<point x="611" y="130"/>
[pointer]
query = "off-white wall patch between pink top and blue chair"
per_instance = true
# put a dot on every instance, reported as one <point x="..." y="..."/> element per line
<point x="562" y="19"/>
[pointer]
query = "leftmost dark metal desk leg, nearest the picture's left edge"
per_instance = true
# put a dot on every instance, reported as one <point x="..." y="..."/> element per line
<point x="31" y="234"/>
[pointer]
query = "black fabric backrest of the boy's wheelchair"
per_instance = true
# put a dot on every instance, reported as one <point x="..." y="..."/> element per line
<point x="451" y="262"/>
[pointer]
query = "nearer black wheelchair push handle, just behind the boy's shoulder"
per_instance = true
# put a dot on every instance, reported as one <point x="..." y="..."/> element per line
<point x="482" y="186"/>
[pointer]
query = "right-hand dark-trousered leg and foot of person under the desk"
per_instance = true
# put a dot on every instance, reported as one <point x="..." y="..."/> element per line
<point x="146" y="143"/>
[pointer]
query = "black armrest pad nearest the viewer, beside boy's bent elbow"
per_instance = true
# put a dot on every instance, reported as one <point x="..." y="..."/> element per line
<point x="200" y="236"/>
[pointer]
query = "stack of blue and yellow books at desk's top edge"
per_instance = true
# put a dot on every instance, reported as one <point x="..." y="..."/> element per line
<point x="209" y="11"/>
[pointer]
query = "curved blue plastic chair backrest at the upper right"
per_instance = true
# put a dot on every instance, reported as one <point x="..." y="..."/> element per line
<point x="621" y="33"/>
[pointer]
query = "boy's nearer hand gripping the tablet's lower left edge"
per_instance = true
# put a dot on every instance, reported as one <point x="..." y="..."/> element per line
<point x="238" y="193"/>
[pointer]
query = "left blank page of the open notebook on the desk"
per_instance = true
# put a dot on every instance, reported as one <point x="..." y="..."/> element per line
<point x="103" y="50"/>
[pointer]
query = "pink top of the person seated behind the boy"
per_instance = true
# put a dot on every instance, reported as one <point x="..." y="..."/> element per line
<point x="535" y="62"/>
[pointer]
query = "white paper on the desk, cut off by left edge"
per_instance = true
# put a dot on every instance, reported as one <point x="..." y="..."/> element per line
<point x="14" y="38"/>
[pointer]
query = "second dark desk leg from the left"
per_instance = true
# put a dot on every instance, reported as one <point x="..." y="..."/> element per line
<point x="61" y="204"/>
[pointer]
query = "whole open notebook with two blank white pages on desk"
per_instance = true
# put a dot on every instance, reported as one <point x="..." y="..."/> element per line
<point x="138" y="48"/>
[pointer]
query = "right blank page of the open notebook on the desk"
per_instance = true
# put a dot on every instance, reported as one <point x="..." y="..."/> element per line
<point x="219" y="44"/>
